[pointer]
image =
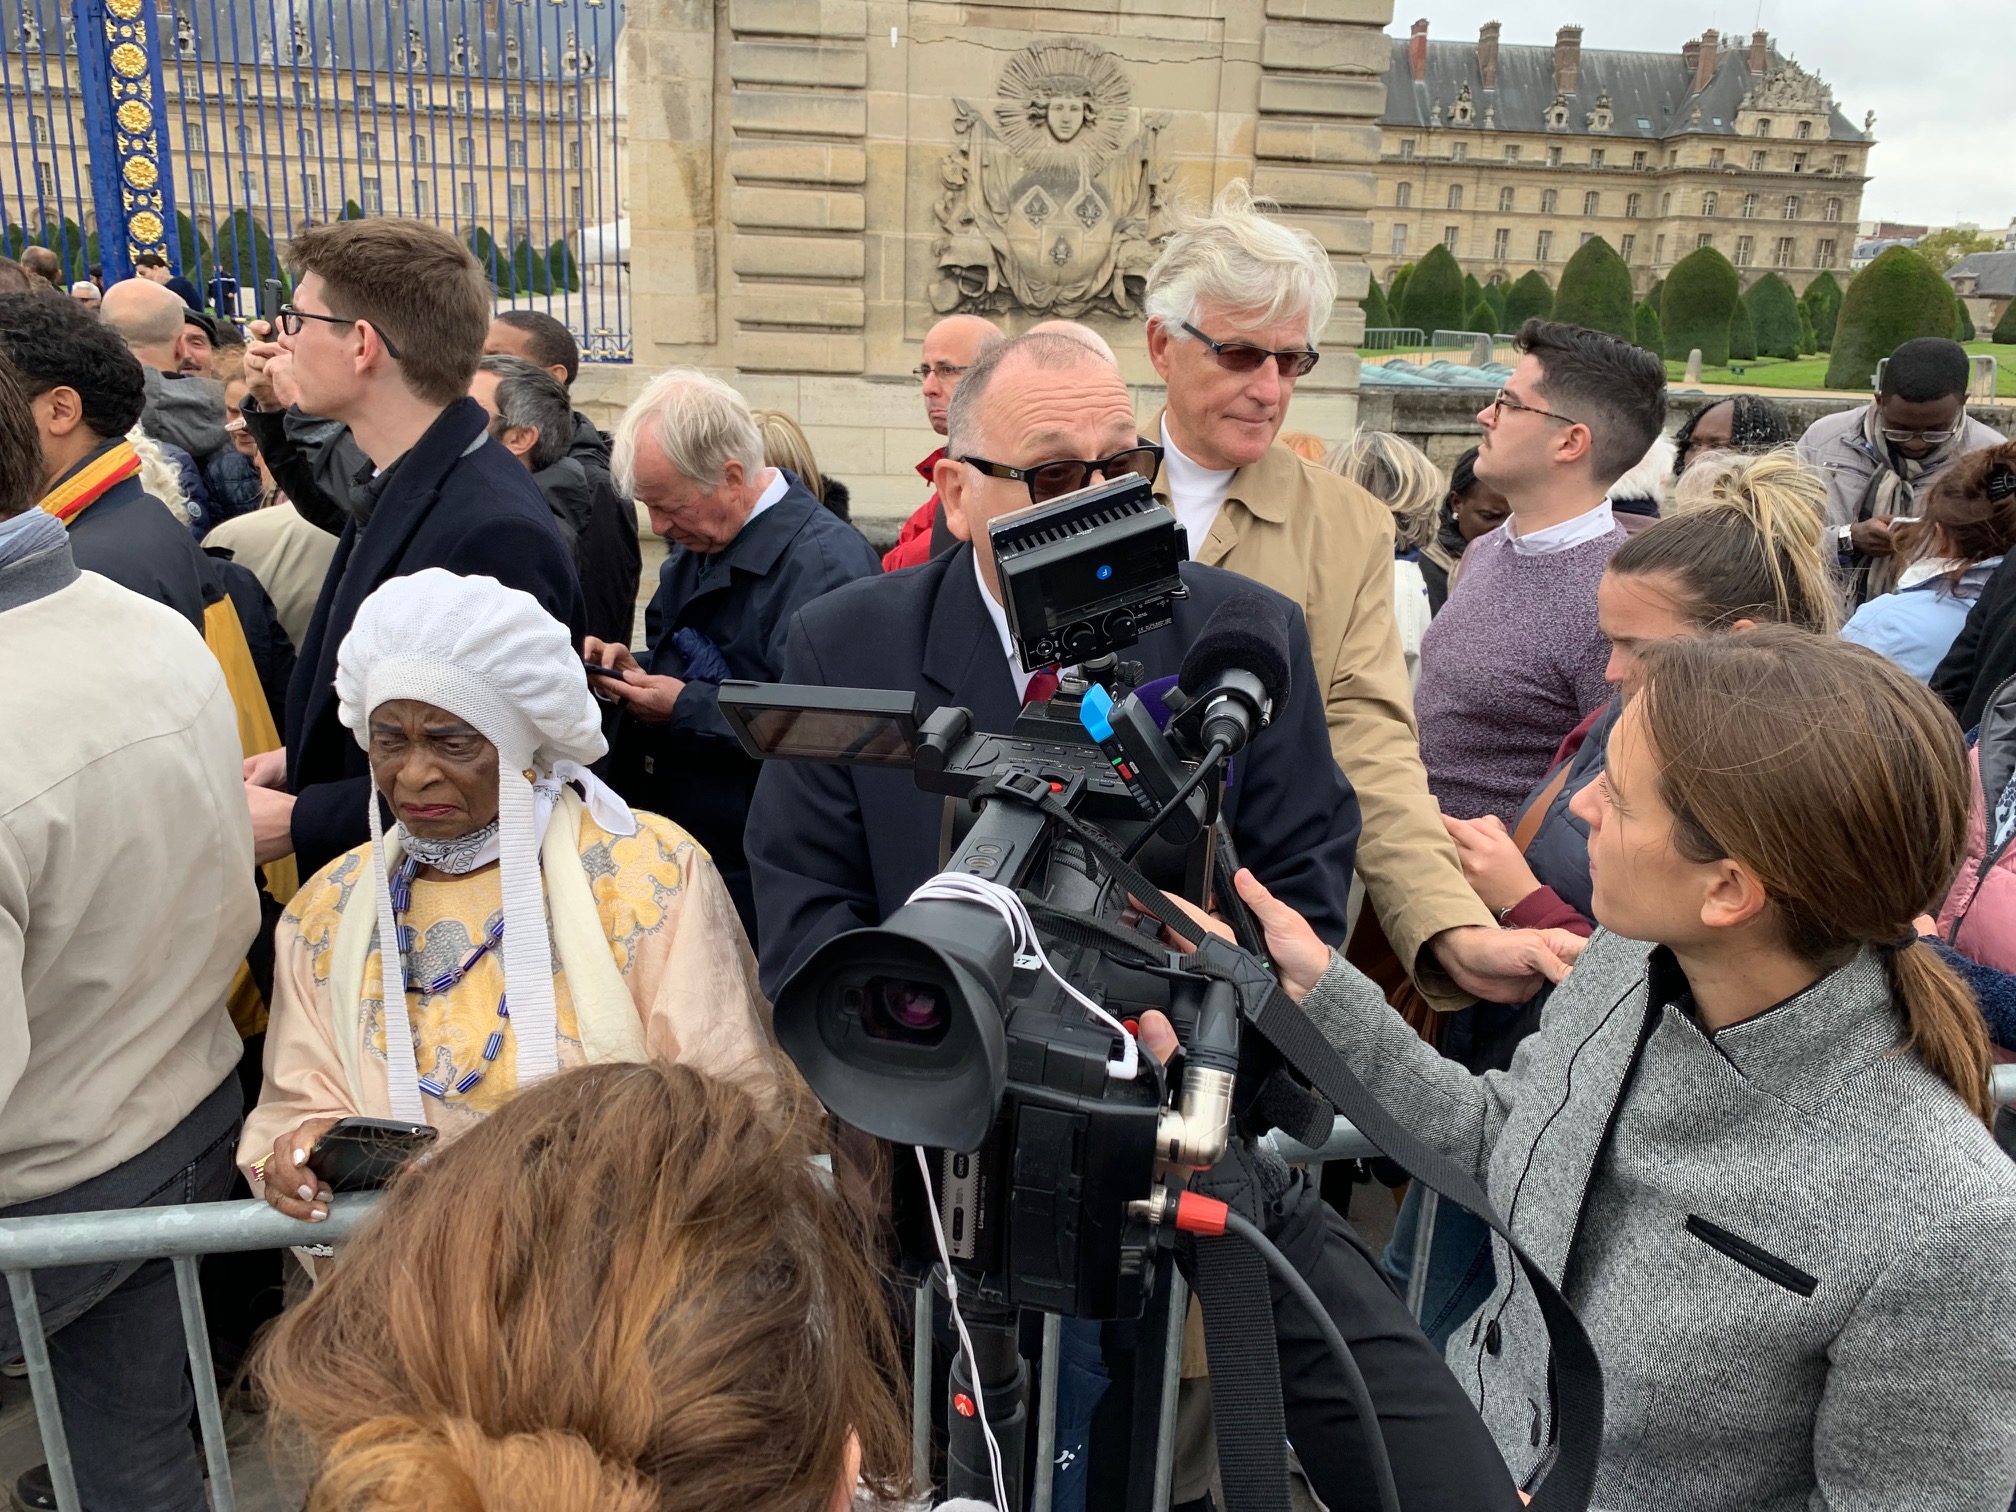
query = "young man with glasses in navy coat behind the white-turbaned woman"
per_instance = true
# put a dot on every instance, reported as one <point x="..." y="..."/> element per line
<point x="384" y="336"/>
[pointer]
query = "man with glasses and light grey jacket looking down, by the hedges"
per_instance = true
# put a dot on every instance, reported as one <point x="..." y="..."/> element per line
<point x="1880" y="457"/>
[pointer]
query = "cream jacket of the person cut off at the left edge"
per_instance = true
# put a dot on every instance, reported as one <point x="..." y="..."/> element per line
<point x="126" y="876"/>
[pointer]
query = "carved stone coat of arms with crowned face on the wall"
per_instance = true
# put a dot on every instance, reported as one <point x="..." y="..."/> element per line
<point x="1053" y="191"/>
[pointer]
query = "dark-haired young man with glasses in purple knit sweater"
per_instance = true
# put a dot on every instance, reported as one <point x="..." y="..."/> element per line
<point x="1517" y="658"/>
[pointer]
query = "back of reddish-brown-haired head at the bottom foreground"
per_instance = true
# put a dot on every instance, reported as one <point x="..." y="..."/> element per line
<point x="628" y="1291"/>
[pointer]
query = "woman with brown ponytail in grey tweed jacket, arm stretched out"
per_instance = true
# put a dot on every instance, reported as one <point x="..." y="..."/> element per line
<point x="1753" y="1045"/>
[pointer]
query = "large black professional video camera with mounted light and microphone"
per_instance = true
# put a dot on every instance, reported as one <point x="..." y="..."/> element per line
<point x="1007" y="1049"/>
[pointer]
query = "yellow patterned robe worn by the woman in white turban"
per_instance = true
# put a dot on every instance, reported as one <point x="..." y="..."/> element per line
<point x="672" y="932"/>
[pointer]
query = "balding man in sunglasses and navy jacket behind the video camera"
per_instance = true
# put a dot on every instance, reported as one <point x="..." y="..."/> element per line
<point x="838" y="848"/>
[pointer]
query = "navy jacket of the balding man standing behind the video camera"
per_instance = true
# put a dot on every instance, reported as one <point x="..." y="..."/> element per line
<point x="842" y="848"/>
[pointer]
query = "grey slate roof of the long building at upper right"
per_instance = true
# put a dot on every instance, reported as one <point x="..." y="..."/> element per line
<point x="1652" y="94"/>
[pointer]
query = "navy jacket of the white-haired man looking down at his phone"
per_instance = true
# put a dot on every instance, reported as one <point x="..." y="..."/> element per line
<point x="741" y="600"/>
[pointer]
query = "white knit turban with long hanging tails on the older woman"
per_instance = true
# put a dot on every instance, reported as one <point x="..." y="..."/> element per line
<point x="495" y="658"/>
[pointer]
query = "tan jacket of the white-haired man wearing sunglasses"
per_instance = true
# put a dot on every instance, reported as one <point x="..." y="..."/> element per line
<point x="1330" y="545"/>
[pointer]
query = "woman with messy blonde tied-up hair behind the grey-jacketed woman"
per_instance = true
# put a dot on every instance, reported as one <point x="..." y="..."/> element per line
<point x="1743" y="549"/>
